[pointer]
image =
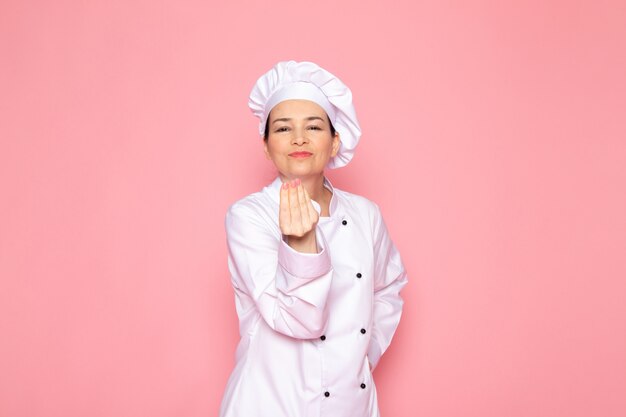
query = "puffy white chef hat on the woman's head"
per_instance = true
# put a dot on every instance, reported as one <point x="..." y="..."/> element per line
<point x="306" y="80"/>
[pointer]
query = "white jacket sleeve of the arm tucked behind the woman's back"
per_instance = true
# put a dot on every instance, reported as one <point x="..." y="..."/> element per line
<point x="389" y="279"/>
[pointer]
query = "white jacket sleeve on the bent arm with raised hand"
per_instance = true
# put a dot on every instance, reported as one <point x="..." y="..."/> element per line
<point x="289" y="288"/>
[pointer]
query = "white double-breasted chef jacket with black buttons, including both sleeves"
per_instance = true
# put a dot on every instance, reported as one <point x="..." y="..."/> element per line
<point x="310" y="322"/>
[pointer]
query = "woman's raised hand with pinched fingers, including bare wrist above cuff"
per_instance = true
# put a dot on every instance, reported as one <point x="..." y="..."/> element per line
<point x="297" y="217"/>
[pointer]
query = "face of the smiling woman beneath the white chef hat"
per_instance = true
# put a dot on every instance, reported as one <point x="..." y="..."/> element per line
<point x="299" y="142"/>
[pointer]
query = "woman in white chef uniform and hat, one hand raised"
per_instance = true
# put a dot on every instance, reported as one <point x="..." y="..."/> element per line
<point x="316" y="276"/>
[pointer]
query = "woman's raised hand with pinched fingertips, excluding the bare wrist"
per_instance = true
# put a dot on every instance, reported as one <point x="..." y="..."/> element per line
<point x="297" y="216"/>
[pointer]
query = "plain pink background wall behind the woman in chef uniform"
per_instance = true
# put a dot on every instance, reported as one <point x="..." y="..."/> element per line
<point x="494" y="142"/>
